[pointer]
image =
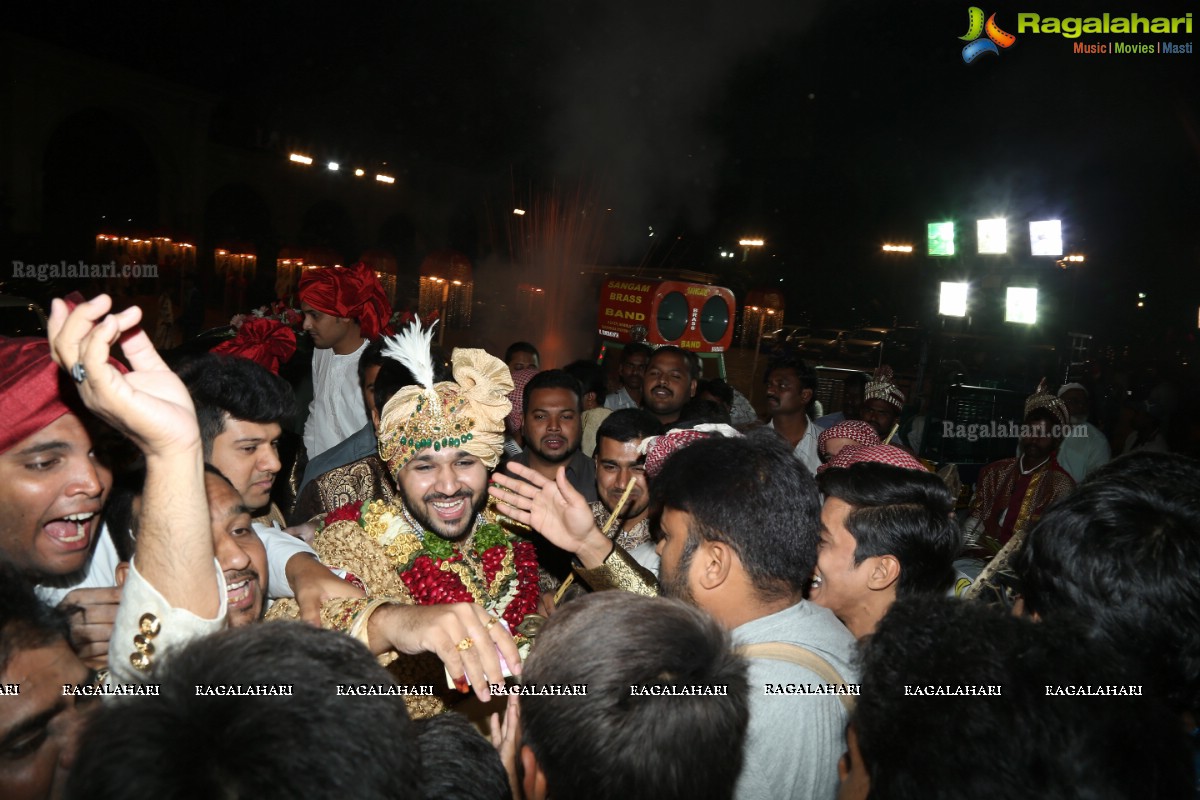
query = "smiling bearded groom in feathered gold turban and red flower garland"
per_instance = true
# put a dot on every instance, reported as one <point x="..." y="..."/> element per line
<point x="440" y="441"/>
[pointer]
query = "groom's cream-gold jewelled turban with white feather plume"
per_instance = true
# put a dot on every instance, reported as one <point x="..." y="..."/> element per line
<point x="465" y="414"/>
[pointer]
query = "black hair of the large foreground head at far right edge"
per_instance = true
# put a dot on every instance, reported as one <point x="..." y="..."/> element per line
<point x="1120" y="561"/>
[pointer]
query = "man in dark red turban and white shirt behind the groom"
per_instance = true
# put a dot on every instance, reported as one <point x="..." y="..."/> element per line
<point x="344" y="309"/>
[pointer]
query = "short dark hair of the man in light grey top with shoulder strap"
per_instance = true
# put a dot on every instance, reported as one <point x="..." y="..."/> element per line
<point x="753" y="495"/>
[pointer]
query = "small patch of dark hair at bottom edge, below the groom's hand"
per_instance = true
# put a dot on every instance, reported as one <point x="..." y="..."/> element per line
<point x="458" y="763"/>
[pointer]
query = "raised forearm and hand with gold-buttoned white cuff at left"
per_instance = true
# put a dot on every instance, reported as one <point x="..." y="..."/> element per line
<point x="175" y="591"/>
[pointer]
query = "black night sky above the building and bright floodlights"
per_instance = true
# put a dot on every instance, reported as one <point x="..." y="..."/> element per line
<point x="825" y="128"/>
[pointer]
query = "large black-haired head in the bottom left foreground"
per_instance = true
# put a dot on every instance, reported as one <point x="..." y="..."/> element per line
<point x="183" y="744"/>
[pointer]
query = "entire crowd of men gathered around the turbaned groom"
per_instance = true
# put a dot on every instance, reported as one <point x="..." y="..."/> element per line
<point x="634" y="593"/>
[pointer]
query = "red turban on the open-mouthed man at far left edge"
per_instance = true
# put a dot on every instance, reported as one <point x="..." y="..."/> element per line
<point x="34" y="393"/>
